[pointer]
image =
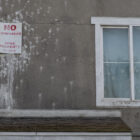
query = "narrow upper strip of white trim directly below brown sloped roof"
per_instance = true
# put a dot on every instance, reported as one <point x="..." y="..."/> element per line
<point x="63" y="134"/>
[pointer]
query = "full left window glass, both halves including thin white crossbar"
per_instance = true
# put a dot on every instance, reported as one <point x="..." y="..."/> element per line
<point x="116" y="63"/>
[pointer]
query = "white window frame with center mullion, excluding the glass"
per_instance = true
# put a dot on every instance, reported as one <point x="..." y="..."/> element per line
<point x="111" y="22"/>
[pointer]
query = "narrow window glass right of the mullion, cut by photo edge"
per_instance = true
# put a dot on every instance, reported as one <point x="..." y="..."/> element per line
<point x="136" y="45"/>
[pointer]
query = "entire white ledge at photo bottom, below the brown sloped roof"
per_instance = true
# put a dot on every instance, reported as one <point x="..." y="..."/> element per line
<point x="64" y="136"/>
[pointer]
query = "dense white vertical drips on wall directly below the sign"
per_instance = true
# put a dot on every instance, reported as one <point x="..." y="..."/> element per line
<point x="6" y="87"/>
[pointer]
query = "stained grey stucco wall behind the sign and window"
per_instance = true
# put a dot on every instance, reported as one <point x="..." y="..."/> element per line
<point x="56" y="69"/>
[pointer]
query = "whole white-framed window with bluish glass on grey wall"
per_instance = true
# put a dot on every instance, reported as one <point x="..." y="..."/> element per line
<point x="117" y="48"/>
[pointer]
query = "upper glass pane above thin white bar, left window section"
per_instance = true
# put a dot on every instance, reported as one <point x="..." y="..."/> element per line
<point x="115" y="44"/>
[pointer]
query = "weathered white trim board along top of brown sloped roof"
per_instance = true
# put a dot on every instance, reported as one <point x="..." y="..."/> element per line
<point x="60" y="113"/>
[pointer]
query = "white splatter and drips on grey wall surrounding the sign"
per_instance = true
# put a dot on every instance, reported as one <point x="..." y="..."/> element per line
<point x="10" y="63"/>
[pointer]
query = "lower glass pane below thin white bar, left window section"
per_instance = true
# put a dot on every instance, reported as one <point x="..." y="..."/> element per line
<point x="116" y="80"/>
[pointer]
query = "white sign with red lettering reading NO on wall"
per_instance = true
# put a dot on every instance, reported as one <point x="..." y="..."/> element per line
<point x="10" y="38"/>
